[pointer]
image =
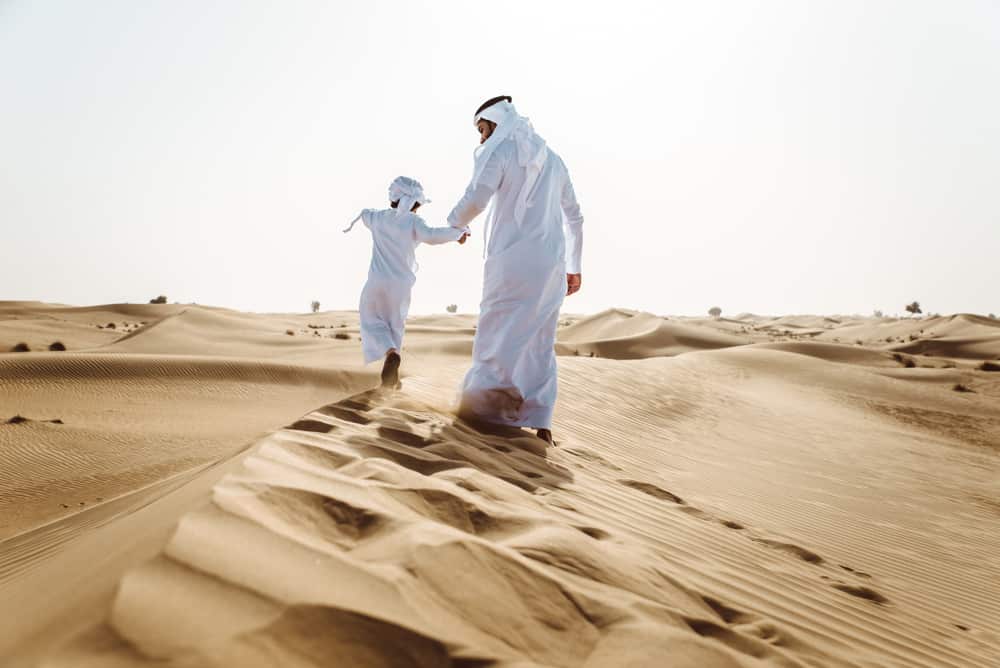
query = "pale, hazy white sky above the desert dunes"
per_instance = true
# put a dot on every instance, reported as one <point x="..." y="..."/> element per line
<point x="773" y="157"/>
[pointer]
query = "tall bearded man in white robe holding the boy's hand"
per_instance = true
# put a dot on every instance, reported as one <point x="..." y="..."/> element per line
<point x="534" y="239"/>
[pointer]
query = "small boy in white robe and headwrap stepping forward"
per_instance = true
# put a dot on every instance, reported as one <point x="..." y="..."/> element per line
<point x="385" y="299"/>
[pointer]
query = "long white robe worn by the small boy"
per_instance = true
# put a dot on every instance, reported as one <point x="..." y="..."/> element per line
<point x="385" y="299"/>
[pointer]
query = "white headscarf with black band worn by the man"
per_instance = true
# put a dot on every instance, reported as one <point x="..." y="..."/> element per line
<point x="531" y="149"/>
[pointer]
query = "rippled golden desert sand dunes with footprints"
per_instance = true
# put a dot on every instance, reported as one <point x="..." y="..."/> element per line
<point x="203" y="487"/>
